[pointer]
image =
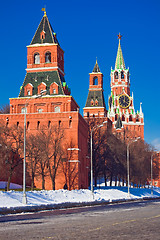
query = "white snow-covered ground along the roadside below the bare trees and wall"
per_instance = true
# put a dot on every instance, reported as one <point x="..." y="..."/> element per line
<point x="13" y="198"/>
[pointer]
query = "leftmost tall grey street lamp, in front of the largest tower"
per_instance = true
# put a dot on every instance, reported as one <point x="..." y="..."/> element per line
<point x="24" y="198"/>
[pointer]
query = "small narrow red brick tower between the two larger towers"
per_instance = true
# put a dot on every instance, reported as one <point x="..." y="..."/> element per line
<point x="95" y="104"/>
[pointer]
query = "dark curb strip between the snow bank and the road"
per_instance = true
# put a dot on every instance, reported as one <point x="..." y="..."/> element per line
<point x="27" y="209"/>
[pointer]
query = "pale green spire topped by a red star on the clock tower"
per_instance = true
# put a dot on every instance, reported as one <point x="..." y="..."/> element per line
<point x="119" y="59"/>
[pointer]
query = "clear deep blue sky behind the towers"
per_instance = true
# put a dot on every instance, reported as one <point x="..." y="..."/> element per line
<point x="87" y="29"/>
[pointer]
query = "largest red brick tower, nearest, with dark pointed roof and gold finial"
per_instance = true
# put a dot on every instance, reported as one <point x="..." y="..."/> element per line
<point x="45" y="71"/>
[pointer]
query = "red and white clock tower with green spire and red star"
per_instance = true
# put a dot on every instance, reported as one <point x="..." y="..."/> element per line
<point x="126" y="121"/>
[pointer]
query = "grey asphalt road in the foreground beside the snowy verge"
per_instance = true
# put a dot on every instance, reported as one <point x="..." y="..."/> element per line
<point x="138" y="221"/>
